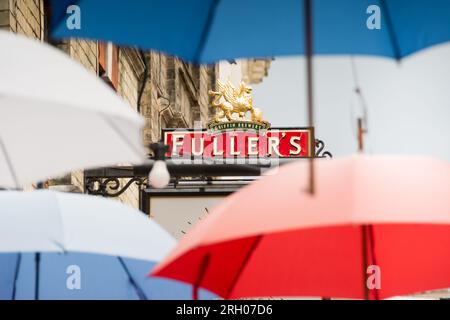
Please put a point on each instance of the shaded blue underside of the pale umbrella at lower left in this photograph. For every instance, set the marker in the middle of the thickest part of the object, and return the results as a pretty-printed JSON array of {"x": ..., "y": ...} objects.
[{"x": 74, "y": 276}]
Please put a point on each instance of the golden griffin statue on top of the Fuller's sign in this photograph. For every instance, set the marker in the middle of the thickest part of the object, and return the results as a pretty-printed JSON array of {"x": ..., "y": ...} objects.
[{"x": 233, "y": 104}]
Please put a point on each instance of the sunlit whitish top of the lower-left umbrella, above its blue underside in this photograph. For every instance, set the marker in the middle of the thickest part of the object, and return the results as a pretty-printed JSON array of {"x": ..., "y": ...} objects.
[{"x": 49, "y": 221}]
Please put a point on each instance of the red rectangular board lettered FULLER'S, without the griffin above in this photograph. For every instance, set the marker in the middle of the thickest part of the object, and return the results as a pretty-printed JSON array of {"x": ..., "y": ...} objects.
[{"x": 240, "y": 143}]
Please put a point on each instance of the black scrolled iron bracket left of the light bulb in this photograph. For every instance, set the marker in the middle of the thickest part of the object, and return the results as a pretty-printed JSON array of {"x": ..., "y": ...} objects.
[{"x": 110, "y": 187}]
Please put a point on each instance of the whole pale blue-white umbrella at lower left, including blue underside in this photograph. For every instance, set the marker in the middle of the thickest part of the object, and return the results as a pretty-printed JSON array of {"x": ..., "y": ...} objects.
[{"x": 68, "y": 246}]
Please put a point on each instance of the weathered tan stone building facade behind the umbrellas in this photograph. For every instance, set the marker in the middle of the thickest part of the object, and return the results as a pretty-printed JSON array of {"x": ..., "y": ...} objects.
[{"x": 166, "y": 91}]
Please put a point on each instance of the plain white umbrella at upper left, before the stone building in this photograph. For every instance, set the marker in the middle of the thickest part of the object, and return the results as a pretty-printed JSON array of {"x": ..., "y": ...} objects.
[{"x": 55, "y": 116}]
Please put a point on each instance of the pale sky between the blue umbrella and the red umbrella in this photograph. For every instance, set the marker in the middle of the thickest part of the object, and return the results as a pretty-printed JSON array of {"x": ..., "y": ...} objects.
[{"x": 407, "y": 102}]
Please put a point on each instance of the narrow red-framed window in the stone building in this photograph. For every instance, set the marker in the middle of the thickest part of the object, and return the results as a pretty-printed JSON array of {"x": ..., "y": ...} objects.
[{"x": 108, "y": 56}]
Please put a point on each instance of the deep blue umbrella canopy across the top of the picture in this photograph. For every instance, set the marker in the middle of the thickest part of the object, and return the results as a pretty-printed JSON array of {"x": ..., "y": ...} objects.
[{"x": 205, "y": 31}]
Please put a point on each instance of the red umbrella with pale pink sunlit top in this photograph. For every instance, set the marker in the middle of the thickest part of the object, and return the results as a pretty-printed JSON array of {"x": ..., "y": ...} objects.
[{"x": 378, "y": 226}]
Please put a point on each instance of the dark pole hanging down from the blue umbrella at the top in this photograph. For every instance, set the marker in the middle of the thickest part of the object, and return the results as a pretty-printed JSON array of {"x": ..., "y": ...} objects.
[{"x": 309, "y": 81}]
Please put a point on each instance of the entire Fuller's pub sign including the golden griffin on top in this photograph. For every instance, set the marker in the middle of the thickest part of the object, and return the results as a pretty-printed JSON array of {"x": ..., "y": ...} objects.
[{"x": 231, "y": 134}]
